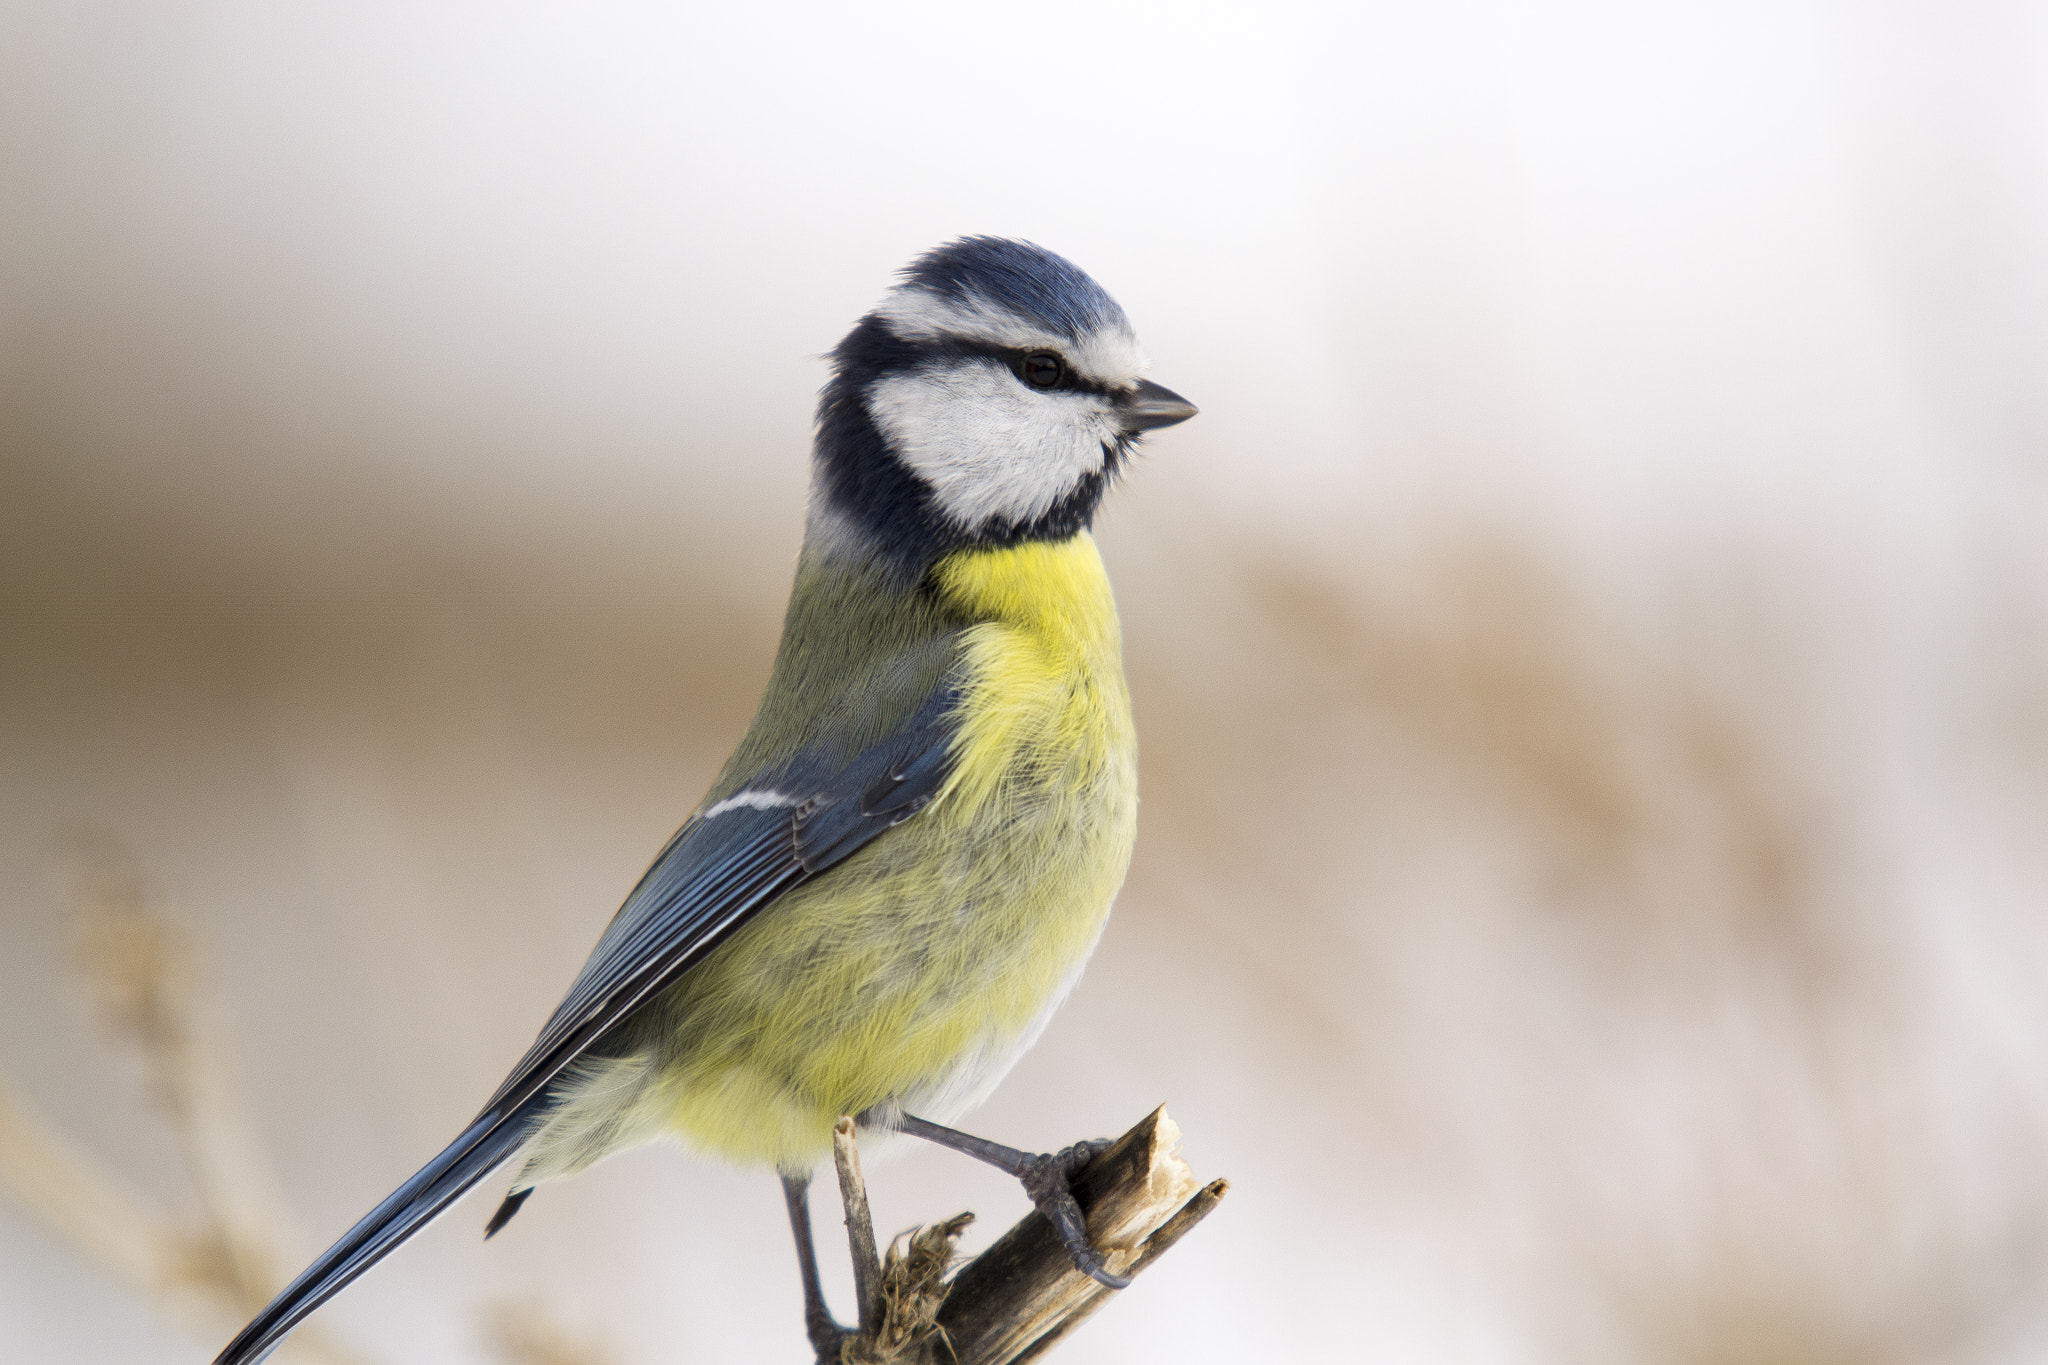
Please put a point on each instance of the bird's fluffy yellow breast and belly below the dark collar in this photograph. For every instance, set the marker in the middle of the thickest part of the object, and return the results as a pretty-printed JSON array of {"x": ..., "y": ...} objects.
[{"x": 921, "y": 967}]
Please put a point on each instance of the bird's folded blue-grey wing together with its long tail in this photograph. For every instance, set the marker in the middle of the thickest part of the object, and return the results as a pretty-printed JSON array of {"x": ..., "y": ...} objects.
[{"x": 720, "y": 871}]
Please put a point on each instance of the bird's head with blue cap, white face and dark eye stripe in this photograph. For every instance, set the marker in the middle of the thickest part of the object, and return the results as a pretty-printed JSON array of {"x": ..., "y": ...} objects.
[{"x": 990, "y": 398}]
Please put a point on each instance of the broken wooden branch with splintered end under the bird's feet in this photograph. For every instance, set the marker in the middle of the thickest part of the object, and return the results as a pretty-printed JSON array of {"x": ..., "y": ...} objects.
[{"x": 1023, "y": 1294}]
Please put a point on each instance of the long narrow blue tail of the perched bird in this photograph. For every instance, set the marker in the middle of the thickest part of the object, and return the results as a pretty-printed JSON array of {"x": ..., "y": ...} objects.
[{"x": 427, "y": 1196}]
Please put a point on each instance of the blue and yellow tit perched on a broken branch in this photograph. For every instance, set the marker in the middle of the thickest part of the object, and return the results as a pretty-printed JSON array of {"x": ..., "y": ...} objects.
[{"x": 914, "y": 848}]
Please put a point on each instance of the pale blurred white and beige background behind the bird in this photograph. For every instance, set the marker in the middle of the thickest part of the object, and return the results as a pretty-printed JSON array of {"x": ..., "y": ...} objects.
[{"x": 1592, "y": 650}]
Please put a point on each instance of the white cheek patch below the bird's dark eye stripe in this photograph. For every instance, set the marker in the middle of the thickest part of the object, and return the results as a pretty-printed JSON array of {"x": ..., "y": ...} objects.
[{"x": 986, "y": 445}]
